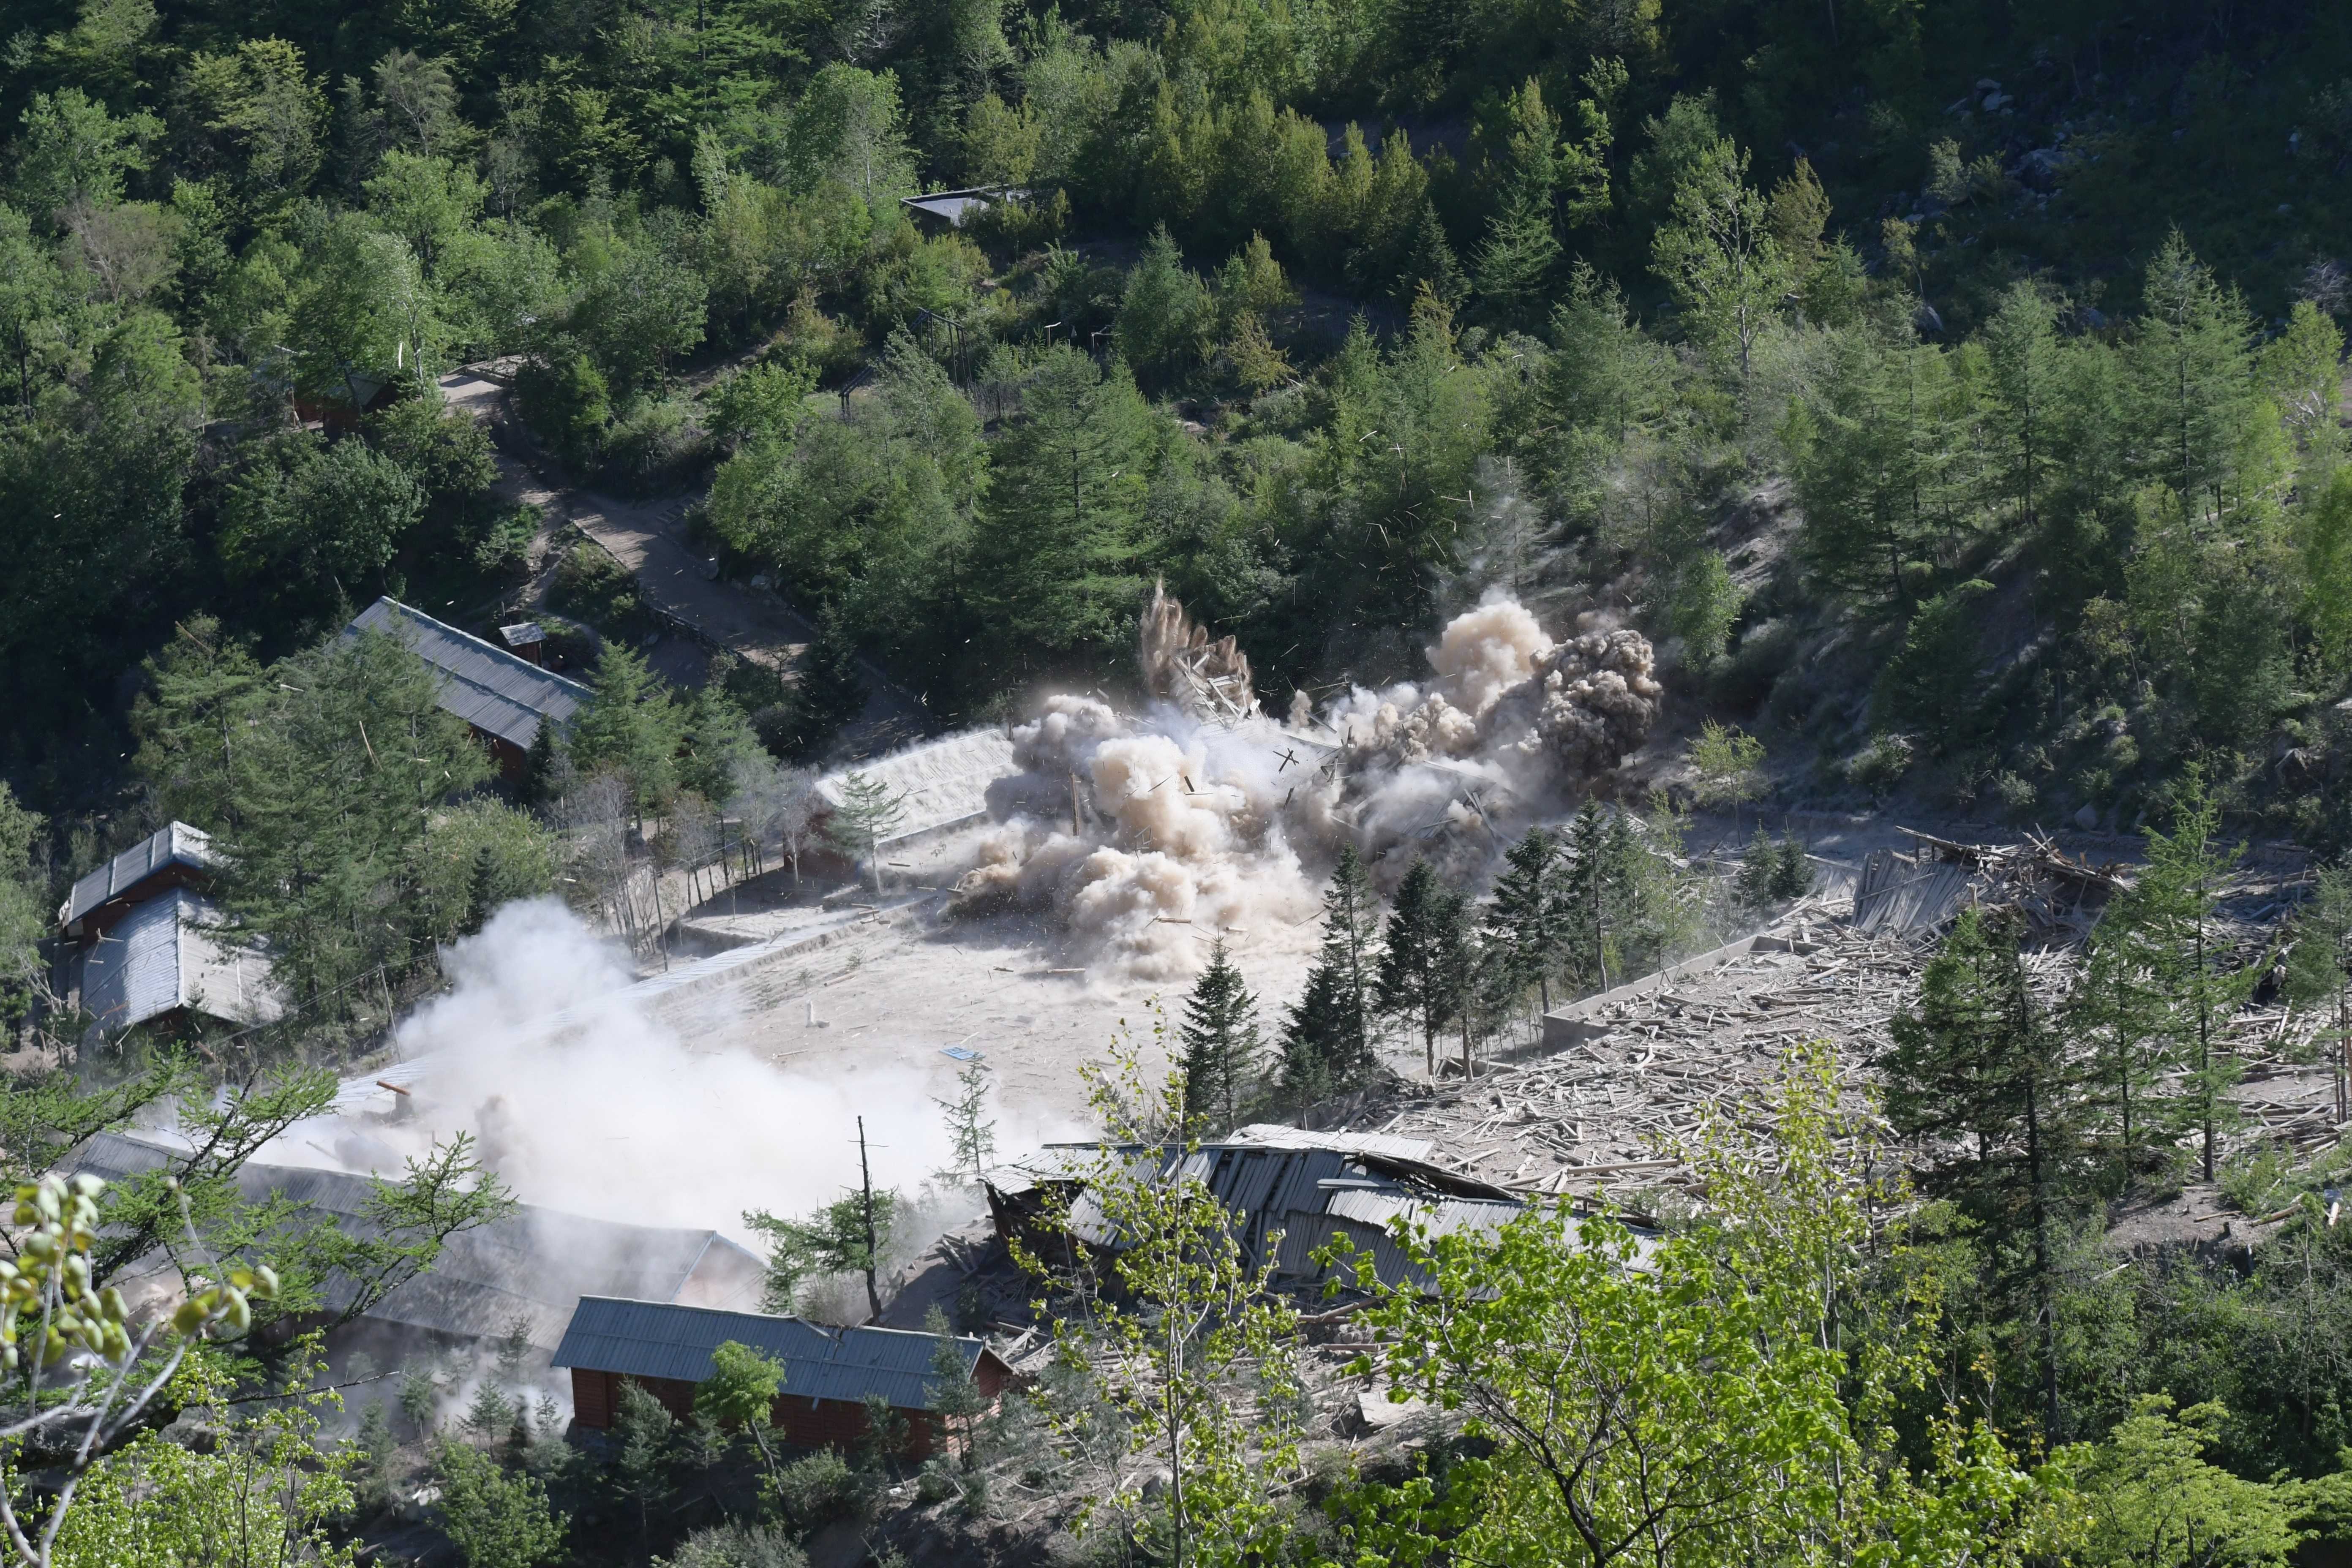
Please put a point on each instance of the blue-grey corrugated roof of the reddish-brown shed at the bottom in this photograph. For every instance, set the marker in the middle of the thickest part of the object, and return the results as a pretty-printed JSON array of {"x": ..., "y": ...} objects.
[{"x": 667, "y": 1341}]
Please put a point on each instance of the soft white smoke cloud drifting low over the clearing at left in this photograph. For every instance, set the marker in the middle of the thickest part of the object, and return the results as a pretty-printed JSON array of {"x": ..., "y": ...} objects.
[{"x": 589, "y": 1104}]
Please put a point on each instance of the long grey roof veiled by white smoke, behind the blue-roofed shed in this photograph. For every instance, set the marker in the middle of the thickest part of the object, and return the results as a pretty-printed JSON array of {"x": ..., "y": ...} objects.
[{"x": 535, "y": 1264}]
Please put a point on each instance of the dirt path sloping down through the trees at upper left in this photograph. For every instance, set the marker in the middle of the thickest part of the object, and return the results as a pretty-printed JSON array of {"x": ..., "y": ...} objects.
[{"x": 648, "y": 537}]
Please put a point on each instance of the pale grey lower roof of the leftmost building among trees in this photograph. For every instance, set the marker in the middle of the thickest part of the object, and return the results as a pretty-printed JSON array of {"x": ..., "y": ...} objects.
[{"x": 168, "y": 956}]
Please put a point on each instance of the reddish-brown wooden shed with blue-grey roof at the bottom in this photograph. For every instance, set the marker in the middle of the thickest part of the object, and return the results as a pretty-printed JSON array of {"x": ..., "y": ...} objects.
[{"x": 827, "y": 1372}]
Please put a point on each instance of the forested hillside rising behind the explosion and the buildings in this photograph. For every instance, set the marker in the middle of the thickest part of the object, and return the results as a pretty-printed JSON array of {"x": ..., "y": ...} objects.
[{"x": 1956, "y": 387}]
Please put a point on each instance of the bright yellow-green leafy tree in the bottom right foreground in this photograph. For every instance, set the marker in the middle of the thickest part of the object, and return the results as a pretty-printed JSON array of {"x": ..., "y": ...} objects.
[{"x": 1704, "y": 1402}]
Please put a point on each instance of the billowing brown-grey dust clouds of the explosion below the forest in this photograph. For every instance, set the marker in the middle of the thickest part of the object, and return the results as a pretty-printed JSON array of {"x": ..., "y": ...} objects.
[{"x": 1151, "y": 833}]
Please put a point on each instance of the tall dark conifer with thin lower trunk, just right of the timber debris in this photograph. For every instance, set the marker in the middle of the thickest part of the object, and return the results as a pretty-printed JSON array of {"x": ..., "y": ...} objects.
[{"x": 1975, "y": 1064}]
